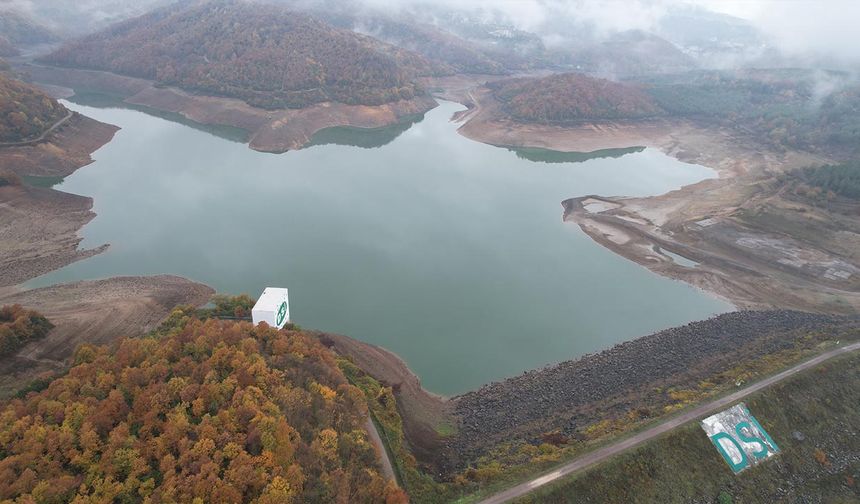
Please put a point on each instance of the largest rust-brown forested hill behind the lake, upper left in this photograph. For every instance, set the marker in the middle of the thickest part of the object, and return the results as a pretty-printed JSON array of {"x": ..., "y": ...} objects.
[{"x": 263, "y": 54}]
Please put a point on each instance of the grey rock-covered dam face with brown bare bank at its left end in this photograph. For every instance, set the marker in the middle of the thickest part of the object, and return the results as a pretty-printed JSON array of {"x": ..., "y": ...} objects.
[{"x": 570, "y": 395}]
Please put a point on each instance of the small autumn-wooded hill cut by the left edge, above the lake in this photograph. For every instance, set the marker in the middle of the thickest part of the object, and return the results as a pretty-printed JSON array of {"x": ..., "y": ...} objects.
[{"x": 25, "y": 112}]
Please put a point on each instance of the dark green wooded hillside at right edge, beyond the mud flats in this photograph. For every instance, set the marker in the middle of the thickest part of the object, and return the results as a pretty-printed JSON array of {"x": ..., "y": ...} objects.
[{"x": 798, "y": 108}]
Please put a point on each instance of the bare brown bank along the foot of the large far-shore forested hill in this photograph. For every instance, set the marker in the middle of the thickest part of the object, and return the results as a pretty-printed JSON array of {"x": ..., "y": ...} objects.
[{"x": 268, "y": 130}]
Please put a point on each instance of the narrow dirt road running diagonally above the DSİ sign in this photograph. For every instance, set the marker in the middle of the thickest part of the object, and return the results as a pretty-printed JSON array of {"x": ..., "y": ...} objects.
[{"x": 606, "y": 452}]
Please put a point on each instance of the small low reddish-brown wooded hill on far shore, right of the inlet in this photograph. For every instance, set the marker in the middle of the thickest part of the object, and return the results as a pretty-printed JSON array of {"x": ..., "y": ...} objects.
[{"x": 572, "y": 97}]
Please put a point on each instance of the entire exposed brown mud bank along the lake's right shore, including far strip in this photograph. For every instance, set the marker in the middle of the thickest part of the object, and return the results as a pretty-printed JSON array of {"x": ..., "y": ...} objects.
[{"x": 737, "y": 235}]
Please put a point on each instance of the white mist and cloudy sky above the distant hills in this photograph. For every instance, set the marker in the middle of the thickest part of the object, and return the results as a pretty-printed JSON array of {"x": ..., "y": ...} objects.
[{"x": 759, "y": 33}]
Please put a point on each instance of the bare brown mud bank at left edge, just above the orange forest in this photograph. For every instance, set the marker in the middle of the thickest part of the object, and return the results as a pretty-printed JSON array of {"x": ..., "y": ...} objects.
[{"x": 94, "y": 312}]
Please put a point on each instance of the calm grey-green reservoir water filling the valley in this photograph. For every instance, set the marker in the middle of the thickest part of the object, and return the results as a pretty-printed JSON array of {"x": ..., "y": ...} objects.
[{"x": 451, "y": 253}]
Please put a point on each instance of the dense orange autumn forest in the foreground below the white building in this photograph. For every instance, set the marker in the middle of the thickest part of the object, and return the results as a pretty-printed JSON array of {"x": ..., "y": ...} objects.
[{"x": 199, "y": 411}]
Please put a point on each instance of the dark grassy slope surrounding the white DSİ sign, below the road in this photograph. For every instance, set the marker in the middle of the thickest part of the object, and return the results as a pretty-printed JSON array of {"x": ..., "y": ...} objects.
[{"x": 683, "y": 466}]
